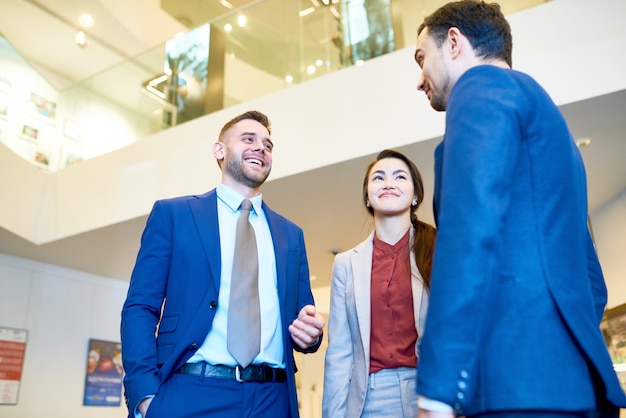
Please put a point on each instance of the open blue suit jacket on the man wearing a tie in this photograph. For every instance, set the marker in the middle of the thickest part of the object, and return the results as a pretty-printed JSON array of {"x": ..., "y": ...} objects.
[{"x": 179, "y": 261}]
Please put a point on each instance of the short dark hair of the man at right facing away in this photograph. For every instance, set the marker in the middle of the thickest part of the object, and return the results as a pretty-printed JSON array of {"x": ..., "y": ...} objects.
[{"x": 482, "y": 23}]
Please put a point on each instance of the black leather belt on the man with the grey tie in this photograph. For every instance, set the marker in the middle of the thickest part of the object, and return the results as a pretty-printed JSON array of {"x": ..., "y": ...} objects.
[{"x": 252, "y": 373}]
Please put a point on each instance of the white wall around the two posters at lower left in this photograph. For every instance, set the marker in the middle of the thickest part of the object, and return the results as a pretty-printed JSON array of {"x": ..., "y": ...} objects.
[{"x": 61, "y": 309}]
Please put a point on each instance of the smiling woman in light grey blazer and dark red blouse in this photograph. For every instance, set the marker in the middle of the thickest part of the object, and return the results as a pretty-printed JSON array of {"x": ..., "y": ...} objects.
[{"x": 379, "y": 298}]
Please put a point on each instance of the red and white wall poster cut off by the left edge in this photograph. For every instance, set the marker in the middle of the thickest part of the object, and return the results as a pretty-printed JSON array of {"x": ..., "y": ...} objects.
[{"x": 12, "y": 350}]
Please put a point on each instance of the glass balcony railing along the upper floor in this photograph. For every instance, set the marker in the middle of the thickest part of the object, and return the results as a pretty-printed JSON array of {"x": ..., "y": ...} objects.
[{"x": 252, "y": 51}]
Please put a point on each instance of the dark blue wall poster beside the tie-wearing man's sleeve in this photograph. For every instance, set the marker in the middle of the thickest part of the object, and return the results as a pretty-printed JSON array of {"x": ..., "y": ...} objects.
[{"x": 103, "y": 381}]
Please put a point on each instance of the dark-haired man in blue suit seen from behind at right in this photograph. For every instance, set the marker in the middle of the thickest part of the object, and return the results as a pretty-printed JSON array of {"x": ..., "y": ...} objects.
[{"x": 517, "y": 292}]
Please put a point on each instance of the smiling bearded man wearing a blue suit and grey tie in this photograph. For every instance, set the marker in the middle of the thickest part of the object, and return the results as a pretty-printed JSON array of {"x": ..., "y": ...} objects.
[{"x": 176, "y": 337}]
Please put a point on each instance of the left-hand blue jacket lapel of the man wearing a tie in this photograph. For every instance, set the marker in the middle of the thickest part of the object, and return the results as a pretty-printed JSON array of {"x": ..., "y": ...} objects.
[{"x": 204, "y": 211}]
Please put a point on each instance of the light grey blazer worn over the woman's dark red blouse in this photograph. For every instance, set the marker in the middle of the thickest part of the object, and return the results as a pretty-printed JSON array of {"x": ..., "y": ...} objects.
[{"x": 347, "y": 357}]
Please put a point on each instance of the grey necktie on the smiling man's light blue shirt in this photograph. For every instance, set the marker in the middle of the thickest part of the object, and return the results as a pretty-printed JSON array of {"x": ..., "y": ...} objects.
[{"x": 244, "y": 314}]
